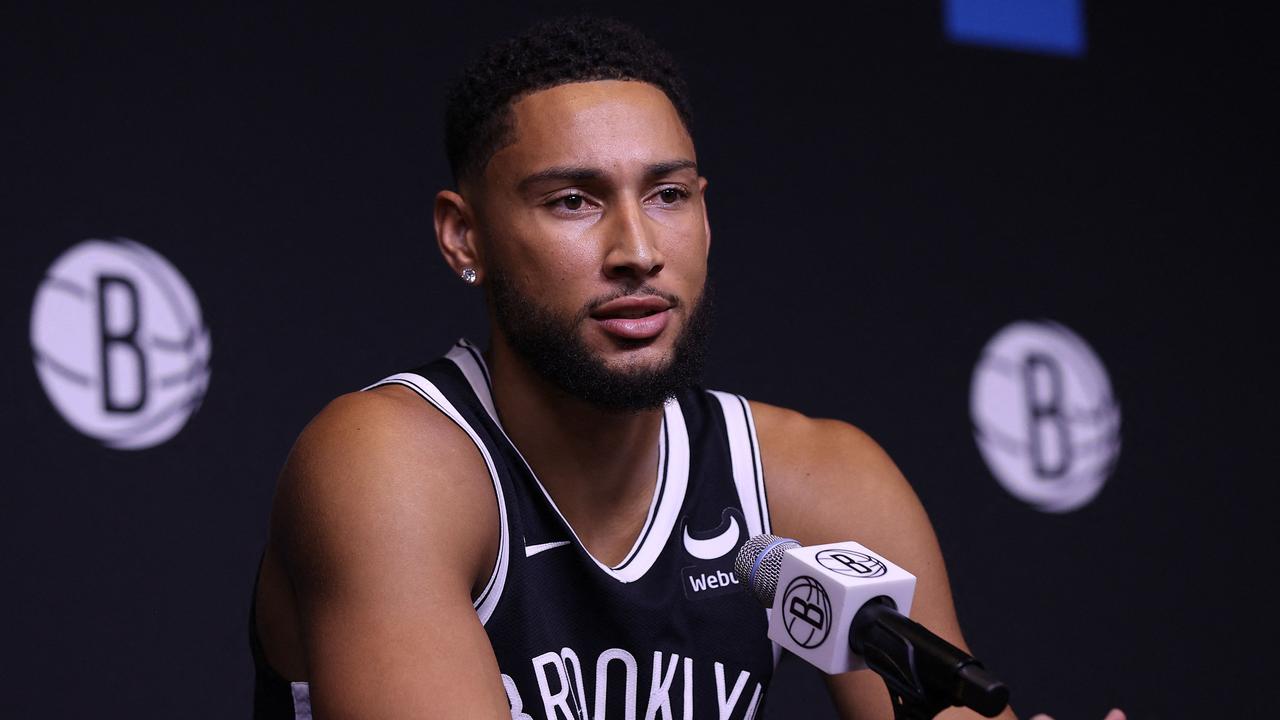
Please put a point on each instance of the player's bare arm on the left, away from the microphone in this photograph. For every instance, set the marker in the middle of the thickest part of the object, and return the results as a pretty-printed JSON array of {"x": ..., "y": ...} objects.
[{"x": 386, "y": 522}]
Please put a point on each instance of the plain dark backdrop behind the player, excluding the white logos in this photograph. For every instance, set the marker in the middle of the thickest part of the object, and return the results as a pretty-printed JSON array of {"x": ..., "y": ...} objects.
[{"x": 883, "y": 203}]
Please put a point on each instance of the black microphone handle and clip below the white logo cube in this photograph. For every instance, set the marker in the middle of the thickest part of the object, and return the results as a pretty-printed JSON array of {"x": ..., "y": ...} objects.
[{"x": 925, "y": 675}]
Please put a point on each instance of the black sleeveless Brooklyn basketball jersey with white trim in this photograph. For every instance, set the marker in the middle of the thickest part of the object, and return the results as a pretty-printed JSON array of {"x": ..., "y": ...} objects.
[{"x": 669, "y": 632}]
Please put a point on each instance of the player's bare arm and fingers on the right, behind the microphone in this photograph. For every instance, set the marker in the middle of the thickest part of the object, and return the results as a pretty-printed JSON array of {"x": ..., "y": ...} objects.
[{"x": 830, "y": 482}]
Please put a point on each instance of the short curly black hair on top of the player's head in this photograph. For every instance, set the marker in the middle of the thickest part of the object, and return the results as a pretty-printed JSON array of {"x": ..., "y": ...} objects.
[{"x": 552, "y": 53}]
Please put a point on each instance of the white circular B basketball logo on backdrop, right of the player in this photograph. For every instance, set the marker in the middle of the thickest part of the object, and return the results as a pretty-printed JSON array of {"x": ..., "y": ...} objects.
[{"x": 1044, "y": 416}]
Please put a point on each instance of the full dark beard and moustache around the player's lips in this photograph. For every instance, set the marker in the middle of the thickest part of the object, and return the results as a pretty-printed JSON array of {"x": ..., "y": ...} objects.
[{"x": 554, "y": 348}]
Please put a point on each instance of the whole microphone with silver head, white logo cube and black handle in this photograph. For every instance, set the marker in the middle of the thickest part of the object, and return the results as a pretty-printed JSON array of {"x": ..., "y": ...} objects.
[{"x": 843, "y": 608}]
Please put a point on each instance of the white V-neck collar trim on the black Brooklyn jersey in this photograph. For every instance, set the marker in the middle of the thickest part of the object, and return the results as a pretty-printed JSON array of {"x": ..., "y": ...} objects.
[{"x": 669, "y": 494}]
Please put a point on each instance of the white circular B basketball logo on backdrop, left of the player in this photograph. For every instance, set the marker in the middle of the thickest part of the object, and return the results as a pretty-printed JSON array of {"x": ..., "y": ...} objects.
[{"x": 120, "y": 344}]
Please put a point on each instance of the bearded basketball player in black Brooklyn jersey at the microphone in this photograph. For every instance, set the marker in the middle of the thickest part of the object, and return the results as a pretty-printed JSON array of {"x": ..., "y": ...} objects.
[{"x": 546, "y": 528}]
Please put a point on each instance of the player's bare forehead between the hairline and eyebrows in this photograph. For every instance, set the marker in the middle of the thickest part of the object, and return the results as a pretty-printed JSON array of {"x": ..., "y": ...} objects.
[{"x": 607, "y": 125}]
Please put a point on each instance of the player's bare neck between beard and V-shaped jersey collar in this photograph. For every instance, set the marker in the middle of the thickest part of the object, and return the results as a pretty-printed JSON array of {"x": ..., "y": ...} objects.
[{"x": 598, "y": 466}]
